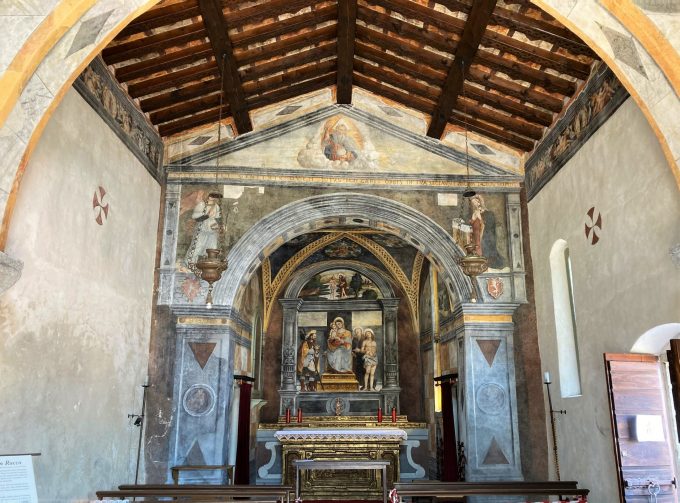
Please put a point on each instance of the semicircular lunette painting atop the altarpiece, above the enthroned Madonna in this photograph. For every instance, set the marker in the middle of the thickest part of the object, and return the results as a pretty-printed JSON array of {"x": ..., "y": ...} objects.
[{"x": 339, "y": 284}]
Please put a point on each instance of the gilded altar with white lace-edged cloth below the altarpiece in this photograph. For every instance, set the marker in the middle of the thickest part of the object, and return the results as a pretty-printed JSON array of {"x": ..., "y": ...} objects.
[{"x": 341, "y": 444}]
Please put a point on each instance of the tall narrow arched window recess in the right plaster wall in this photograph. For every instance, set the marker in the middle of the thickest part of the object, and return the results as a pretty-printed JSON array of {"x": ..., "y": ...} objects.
[{"x": 565, "y": 319}]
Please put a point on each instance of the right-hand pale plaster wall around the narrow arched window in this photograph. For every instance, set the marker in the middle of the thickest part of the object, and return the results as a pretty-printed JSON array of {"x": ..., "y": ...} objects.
[{"x": 623, "y": 285}]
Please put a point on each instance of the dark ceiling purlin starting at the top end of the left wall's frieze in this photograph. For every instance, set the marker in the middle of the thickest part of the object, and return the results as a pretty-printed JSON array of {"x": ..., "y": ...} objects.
[{"x": 155, "y": 43}]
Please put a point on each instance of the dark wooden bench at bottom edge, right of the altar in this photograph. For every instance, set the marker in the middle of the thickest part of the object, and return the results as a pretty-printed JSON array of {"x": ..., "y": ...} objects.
[{"x": 458, "y": 491}]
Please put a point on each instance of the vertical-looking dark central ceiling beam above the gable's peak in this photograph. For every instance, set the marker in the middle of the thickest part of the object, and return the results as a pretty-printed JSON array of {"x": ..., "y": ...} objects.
[{"x": 347, "y": 21}]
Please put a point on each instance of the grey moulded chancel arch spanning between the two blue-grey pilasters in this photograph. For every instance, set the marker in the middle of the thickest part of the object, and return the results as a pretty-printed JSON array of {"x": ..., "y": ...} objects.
[{"x": 361, "y": 210}]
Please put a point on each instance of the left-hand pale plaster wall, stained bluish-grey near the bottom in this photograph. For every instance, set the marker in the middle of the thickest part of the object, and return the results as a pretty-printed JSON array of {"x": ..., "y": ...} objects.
[{"x": 74, "y": 330}]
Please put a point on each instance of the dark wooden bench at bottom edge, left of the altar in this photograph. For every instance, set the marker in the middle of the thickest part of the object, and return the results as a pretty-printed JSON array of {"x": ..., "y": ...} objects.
[{"x": 200, "y": 492}]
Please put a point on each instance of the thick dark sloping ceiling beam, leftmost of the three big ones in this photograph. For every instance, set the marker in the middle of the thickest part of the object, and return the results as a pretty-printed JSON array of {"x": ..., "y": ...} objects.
[{"x": 218, "y": 32}]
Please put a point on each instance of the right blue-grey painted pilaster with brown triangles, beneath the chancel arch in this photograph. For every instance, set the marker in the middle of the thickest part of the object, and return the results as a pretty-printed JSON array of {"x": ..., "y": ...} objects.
[{"x": 489, "y": 426}]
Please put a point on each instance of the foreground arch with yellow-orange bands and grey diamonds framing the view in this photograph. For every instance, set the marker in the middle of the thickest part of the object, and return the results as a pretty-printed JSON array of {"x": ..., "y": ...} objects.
[{"x": 37, "y": 70}]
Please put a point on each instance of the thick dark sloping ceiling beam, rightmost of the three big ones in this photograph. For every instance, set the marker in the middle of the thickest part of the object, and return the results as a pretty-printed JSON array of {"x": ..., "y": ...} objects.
[{"x": 477, "y": 20}]
